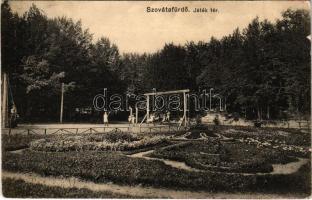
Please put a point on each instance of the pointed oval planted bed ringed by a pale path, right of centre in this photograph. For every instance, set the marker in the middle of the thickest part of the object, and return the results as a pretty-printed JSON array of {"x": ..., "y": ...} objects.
[{"x": 224, "y": 156}]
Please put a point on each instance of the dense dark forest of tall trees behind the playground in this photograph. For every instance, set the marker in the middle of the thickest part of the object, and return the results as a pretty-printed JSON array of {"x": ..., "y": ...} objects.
[{"x": 262, "y": 71}]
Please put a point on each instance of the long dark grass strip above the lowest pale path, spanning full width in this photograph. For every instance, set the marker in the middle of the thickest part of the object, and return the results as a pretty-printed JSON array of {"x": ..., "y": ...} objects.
[{"x": 102, "y": 167}]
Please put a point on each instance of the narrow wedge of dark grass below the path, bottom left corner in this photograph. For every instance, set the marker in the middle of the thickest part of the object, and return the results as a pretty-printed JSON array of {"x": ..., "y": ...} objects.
[{"x": 12, "y": 188}]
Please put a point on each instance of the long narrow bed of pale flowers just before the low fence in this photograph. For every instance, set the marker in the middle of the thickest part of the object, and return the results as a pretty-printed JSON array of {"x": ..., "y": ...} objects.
[{"x": 115, "y": 141}]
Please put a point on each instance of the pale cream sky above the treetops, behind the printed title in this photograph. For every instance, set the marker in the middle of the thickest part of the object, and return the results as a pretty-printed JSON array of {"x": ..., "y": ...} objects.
[{"x": 132, "y": 29}]
